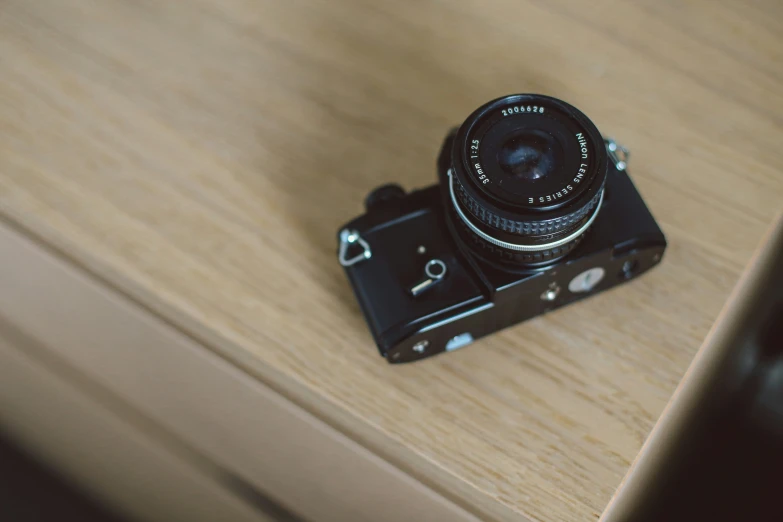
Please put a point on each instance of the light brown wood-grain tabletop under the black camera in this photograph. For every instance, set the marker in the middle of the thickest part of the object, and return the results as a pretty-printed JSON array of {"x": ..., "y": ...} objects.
[{"x": 201, "y": 155}]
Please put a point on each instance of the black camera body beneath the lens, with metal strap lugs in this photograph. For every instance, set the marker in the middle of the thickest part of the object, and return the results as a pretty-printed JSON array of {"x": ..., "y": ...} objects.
[{"x": 424, "y": 287}]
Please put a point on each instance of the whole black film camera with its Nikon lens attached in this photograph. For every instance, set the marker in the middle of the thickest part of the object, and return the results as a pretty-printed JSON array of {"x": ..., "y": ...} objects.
[{"x": 533, "y": 210}]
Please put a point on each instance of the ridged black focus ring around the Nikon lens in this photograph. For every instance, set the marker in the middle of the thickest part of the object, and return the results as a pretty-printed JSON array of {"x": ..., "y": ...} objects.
[{"x": 524, "y": 228}]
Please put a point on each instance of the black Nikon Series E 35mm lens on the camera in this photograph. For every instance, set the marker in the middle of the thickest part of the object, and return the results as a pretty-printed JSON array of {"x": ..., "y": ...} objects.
[{"x": 527, "y": 178}]
